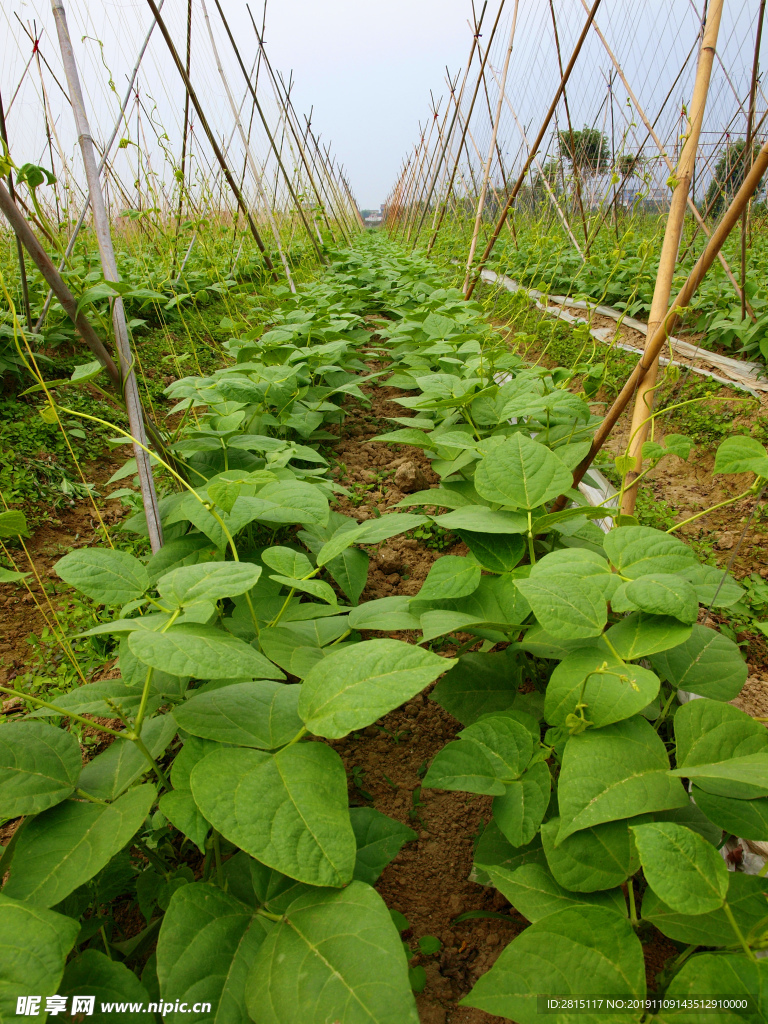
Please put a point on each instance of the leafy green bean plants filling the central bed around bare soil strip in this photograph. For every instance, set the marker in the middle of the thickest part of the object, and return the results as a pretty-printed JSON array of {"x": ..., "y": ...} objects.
[{"x": 222, "y": 801}]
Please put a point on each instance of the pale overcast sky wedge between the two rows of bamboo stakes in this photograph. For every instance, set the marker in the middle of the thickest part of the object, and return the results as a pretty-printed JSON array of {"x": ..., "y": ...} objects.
[{"x": 368, "y": 66}]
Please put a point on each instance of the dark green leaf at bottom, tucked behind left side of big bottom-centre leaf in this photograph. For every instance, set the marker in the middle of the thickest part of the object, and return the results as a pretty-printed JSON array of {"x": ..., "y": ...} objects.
[{"x": 207, "y": 945}]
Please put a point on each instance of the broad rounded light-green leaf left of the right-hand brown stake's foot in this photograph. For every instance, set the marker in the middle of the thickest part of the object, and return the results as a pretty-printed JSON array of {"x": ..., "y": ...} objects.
[{"x": 523, "y": 474}]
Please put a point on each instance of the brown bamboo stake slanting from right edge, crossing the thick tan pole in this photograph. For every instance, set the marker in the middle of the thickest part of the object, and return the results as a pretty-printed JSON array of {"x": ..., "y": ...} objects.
[{"x": 656, "y": 344}]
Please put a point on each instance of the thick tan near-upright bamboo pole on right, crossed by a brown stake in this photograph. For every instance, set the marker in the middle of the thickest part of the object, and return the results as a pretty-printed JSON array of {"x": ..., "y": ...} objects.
[{"x": 671, "y": 247}]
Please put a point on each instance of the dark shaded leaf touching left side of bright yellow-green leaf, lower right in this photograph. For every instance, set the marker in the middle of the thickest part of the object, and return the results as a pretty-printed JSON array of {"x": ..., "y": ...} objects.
[{"x": 601, "y": 858}]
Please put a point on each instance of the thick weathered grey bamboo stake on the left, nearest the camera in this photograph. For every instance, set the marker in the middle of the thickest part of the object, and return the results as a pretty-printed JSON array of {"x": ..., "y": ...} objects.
[{"x": 109, "y": 265}]
